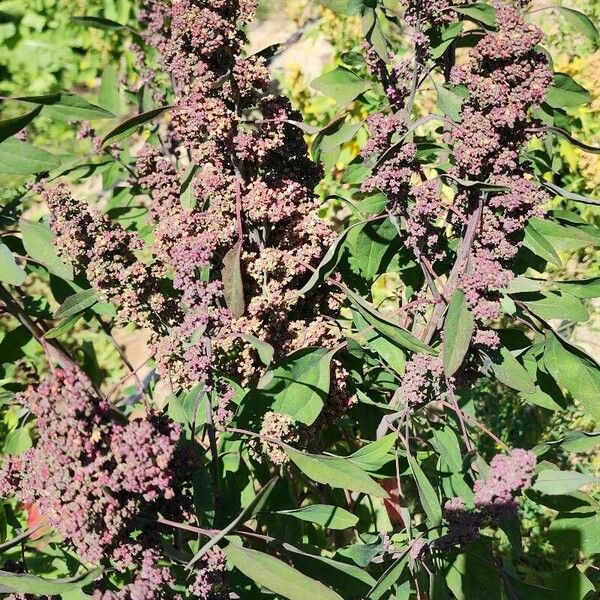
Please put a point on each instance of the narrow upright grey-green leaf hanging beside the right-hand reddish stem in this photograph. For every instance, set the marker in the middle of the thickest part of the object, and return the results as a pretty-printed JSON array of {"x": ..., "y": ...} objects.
[{"x": 458, "y": 331}]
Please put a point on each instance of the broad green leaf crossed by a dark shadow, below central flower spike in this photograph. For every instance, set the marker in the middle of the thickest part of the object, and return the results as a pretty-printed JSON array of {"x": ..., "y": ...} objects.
[{"x": 299, "y": 385}]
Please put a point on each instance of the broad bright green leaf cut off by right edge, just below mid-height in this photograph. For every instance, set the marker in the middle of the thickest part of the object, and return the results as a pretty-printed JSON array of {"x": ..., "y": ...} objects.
[{"x": 575, "y": 371}]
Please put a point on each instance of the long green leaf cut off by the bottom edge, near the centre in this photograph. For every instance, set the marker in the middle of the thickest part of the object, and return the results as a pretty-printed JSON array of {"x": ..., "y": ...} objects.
[{"x": 275, "y": 575}]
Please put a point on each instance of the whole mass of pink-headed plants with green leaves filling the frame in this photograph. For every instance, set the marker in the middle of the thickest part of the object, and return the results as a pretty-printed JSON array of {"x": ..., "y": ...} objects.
[{"x": 307, "y": 424}]
